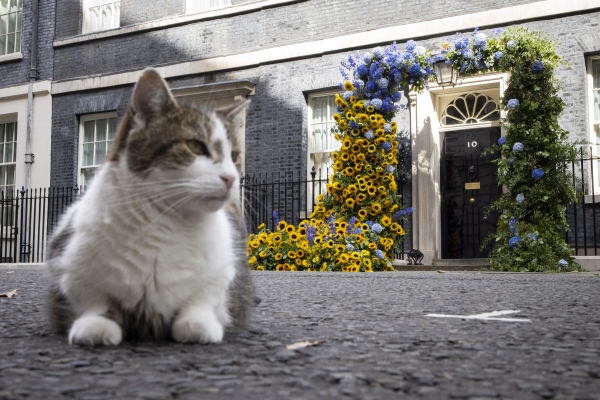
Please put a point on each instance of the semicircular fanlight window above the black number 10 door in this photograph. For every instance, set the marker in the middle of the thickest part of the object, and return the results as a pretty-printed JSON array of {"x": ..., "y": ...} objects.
[{"x": 472, "y": 108}]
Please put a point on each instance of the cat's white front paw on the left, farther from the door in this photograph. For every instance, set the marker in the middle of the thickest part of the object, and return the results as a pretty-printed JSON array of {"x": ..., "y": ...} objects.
[{"x": 92, "y": 330}]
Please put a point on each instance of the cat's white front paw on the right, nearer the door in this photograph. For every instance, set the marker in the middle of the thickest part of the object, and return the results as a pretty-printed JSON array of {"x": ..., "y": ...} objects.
[{"x": 197, "y": 329}]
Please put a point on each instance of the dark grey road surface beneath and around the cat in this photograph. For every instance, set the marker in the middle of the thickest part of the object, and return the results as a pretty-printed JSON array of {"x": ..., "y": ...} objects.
[{"x": 379, "y": 343}]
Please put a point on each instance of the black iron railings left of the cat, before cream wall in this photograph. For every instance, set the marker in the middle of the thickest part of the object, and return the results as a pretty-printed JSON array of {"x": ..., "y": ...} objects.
[{"x": 27, "y": 219}]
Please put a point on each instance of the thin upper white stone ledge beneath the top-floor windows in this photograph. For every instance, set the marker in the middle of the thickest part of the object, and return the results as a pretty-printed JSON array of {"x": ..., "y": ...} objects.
[{"x": 173, "y": 21}]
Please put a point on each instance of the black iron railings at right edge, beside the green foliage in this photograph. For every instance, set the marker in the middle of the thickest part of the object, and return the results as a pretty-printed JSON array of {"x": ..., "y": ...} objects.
[{"x": 584, "y": 216}]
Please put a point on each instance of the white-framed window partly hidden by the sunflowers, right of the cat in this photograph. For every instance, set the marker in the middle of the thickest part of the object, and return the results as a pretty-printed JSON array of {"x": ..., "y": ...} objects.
[{"x": 321, "y": 138}]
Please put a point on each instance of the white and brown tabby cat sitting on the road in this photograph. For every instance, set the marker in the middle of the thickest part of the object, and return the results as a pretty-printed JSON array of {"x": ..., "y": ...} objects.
[{"x": 155, "y": 248}]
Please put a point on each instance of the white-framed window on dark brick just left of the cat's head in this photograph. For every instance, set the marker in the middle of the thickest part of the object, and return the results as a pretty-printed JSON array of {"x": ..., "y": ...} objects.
[{"x": 97, "y": 133}]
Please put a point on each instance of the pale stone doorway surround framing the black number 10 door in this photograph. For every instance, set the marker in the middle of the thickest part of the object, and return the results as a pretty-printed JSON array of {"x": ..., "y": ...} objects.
[{"x": 426, "y": 138}]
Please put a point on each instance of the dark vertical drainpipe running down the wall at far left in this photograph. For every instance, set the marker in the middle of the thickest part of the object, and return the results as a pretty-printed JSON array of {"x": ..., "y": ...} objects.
[{"x": 29, "y": 157}]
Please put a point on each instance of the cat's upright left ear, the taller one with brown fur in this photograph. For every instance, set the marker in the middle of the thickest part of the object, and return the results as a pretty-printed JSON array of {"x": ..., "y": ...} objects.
[{"x": 151, "y": 95}]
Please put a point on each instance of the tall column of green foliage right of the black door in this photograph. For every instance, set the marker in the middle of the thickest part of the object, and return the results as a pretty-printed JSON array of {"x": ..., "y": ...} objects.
[{"x": 534, "y": 124}]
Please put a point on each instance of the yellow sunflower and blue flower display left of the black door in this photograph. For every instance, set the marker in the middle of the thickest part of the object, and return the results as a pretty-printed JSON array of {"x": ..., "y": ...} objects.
[{"x": 356, "y": 224}]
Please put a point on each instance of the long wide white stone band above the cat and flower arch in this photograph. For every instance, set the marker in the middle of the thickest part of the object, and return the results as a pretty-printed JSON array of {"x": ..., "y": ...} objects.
[{"x": 436, "y": 27}]
